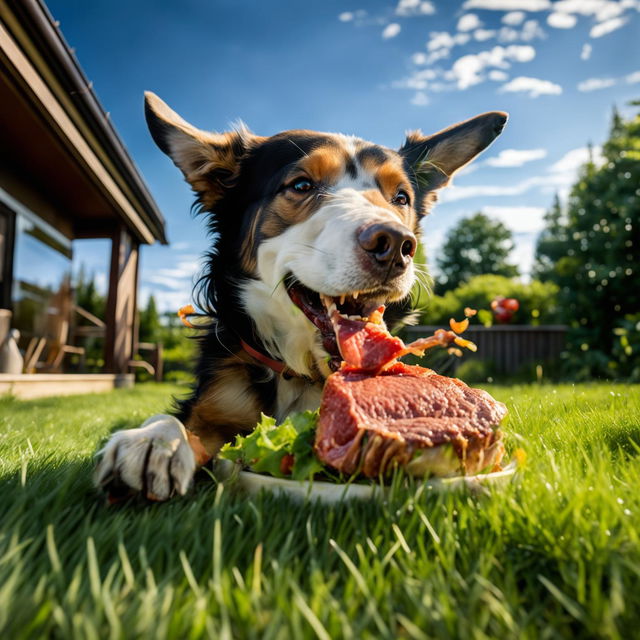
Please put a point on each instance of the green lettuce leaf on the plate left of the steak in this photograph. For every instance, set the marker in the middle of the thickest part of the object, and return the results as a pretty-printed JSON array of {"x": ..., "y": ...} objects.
[{"x": 265, "y": 447}]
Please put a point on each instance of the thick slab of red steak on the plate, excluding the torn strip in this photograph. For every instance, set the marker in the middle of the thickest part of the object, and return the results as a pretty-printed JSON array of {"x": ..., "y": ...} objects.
[{"x": 370, "y": 423}]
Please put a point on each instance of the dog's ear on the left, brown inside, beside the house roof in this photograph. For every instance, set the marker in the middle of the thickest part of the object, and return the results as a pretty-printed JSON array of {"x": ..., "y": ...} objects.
[{"x": 209, "y": 161}]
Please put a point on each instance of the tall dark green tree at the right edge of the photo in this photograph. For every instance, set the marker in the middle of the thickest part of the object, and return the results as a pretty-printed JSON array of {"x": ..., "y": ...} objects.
[{"x": 591, "y": 250}]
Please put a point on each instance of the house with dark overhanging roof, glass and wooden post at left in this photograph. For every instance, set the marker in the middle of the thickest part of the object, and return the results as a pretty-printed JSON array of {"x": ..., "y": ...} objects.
[{"x": 65, "y": 175}]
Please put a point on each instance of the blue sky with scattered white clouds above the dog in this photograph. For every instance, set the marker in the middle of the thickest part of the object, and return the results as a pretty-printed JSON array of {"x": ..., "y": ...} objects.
[{"x": 371, "y": 68}]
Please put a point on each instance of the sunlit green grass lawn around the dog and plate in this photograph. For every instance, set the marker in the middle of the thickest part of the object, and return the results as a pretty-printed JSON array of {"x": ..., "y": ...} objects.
[{"x": 555, "y": 554}]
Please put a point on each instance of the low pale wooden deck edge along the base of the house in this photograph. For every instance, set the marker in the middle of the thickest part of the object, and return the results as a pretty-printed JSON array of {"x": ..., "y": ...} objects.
[{"x": 40, "y": 385}]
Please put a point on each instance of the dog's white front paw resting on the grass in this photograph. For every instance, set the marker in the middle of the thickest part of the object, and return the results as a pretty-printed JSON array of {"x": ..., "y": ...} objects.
[{"x": 154, "y": 460}]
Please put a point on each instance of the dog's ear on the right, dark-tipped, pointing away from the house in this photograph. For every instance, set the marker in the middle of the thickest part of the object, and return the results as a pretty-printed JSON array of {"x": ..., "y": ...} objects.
[{"x": 434, "y": 159}]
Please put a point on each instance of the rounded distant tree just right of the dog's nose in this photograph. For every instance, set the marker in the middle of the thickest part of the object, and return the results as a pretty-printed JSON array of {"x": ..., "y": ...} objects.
[{"x": 475, "y": 246}]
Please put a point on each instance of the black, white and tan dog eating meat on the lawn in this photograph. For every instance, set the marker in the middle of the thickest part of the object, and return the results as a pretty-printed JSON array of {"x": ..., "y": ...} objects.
[{"x": 300, "y": 220}]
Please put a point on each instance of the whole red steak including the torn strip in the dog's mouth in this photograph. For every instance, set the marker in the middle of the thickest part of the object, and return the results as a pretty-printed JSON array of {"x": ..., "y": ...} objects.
[{"x": 377, "y": 413}]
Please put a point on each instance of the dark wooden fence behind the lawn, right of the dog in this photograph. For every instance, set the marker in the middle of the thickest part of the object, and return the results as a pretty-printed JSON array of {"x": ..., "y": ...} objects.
[{"x": 507, "y": 347}]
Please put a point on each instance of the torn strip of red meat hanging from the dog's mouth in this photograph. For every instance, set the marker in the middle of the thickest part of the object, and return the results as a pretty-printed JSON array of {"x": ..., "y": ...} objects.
[{"x": 367, "y": 345}]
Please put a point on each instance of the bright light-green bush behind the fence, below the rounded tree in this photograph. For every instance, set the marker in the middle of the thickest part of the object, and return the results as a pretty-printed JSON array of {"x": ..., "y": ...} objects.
[{"x": 537, "y": 301}]
